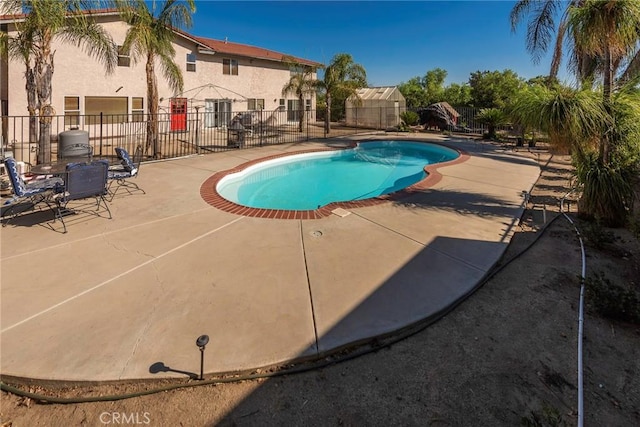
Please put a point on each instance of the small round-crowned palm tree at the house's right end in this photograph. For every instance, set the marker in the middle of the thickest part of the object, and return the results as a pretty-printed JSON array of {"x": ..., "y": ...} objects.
[{"x": 342, "y": 79}]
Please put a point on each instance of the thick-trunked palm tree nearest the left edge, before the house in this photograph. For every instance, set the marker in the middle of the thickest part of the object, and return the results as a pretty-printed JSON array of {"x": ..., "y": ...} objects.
[{"x": 46, "y": 21}]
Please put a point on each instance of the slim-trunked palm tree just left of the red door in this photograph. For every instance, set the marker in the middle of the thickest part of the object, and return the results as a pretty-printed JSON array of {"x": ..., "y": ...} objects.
[{"x": 150, "y": 37}]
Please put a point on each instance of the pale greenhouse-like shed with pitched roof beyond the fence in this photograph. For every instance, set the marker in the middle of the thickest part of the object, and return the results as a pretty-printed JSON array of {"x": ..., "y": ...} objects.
[{"x": 379, "y": 107}]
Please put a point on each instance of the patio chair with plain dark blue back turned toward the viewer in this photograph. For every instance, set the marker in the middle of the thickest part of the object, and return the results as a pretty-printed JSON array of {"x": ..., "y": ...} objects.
[{"x": 84, "y": 181}]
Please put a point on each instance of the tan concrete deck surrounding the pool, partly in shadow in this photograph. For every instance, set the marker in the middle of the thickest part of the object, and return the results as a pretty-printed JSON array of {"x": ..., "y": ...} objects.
[{"x": 123, "y": 298}]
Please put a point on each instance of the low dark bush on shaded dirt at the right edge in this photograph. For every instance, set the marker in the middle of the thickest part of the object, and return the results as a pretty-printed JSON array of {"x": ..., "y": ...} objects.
[{"x": 612, "y": 300}]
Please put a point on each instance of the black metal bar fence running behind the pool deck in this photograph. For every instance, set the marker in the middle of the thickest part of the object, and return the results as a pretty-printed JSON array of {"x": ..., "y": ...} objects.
[{"x": 175, "y": 135}]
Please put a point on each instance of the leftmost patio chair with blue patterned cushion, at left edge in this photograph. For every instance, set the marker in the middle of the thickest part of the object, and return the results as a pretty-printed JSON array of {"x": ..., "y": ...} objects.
[{"x": 27, "y": 195}]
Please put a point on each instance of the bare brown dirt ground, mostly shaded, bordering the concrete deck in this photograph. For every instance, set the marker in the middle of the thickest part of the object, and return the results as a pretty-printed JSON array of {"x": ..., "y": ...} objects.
[{"x": 506, "y": 356}]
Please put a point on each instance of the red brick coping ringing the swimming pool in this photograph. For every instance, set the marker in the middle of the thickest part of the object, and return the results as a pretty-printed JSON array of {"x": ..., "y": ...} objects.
[{"x": 210, "y": 195}]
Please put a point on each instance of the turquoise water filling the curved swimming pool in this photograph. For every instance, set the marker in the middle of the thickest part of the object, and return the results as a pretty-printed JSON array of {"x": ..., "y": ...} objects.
[{"x": 308, "y": 181}]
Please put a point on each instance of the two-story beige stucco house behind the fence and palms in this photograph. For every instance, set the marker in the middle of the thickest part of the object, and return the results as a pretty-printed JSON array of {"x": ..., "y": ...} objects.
[{"x": 220, "y": 79}]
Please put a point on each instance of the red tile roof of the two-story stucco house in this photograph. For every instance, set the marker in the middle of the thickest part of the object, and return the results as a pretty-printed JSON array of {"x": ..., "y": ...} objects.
[{"x": 217, "y": 46}]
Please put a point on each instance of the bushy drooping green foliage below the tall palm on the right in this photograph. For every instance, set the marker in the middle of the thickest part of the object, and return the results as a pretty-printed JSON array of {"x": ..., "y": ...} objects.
[{"x": 574, "y": 119}]
